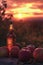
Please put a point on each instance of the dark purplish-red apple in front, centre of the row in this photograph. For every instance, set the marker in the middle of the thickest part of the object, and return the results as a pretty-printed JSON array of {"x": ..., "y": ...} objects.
[{"x": 24, "y": 55}]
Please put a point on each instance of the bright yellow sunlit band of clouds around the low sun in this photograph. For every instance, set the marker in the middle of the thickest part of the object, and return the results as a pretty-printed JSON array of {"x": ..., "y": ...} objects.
[{"x": 25, "y": 10}]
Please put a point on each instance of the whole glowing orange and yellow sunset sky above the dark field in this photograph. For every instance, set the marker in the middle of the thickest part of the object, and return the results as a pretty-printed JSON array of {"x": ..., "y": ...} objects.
[{"x": 25, "y": 8}]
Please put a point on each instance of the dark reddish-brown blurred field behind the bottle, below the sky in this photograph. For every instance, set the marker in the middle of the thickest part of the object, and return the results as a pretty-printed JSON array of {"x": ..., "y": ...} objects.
[{"x": 25, "y": 31}]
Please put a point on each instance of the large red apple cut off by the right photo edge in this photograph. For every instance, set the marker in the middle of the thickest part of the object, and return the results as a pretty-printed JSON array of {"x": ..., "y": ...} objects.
[{"x": 38, "y": 54}]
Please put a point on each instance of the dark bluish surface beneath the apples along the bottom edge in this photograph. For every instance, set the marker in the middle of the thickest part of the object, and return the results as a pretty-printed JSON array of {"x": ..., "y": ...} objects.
[{"x": 13, "y": 61}]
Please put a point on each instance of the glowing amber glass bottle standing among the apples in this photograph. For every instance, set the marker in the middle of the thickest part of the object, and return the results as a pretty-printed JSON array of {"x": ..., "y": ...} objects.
[{"x": 11, "y": 37}]
